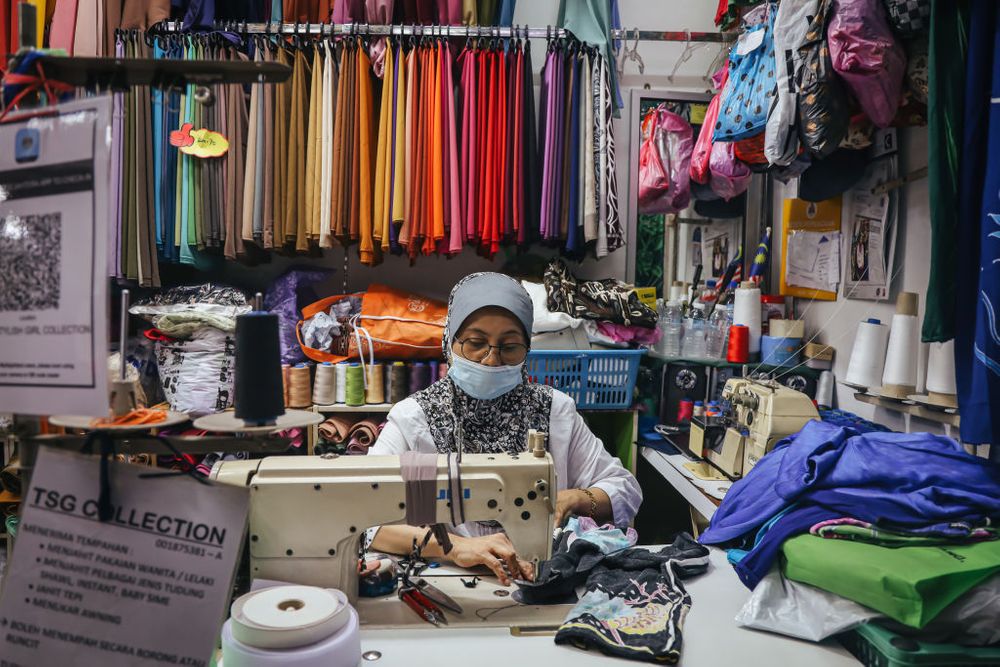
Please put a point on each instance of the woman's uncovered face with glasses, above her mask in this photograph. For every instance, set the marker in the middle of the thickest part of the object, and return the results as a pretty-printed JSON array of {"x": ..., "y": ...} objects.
[{"x": 494, "y": 327}]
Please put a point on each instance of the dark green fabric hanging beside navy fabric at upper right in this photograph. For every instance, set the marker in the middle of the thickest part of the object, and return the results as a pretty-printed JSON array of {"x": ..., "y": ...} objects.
[{"x": 946, "y": 82}]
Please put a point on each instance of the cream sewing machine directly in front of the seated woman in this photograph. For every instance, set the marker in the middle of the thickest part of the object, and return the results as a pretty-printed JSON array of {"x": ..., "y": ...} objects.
[{"x": 308, "y": 514}]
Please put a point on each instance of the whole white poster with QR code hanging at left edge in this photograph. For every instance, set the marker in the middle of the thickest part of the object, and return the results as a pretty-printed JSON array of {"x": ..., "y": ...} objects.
[{"x": 55, "y": 181}]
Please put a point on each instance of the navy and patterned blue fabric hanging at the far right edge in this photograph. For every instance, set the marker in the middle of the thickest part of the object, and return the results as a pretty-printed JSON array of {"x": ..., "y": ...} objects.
[{"x": 977, "y": 345}]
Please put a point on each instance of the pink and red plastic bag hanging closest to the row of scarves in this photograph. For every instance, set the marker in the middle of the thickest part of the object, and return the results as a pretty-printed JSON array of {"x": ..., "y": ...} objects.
[{"x": 665, "y": 183}]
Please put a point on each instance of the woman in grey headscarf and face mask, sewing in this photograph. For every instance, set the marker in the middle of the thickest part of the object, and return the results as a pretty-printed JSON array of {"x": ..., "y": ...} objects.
[{"x": 486, "y": 404}]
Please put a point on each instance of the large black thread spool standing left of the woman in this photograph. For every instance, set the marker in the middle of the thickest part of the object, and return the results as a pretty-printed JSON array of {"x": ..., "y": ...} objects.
[{"x": 259, "y": 396}]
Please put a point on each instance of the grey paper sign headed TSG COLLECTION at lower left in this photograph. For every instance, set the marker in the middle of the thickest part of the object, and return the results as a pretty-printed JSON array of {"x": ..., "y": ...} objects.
[{"x": 79, "y": 591}]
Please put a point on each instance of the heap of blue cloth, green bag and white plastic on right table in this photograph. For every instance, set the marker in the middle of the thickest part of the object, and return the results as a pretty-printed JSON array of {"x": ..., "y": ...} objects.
[{"x": 834, "y": 528}]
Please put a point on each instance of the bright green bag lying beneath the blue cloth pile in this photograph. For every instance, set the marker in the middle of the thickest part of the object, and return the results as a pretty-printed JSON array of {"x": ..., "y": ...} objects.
[{"x": 909, "y": 584}]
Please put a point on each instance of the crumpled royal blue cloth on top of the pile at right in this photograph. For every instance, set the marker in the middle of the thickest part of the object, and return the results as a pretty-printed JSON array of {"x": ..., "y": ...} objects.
[{"x": 909, "y": 480}]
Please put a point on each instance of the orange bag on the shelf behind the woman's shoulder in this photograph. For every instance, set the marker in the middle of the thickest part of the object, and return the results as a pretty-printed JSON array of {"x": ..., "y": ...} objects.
[{"x": 392, "y": 324}]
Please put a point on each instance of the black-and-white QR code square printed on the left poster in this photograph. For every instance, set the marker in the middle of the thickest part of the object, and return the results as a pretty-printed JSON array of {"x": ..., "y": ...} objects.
[{"x": 30, "y": 254}]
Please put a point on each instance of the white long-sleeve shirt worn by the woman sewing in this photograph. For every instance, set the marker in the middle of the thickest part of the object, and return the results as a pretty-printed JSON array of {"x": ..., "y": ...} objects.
[{"x": 580, "y": 458}]
